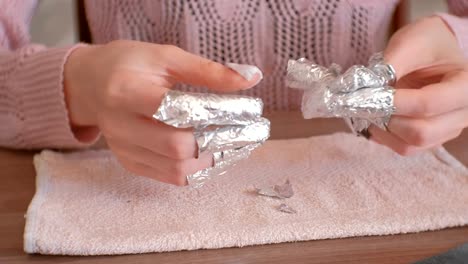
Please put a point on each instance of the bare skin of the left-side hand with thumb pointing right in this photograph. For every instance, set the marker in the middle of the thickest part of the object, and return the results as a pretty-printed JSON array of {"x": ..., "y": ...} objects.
[{"x": 117, "y": 88}]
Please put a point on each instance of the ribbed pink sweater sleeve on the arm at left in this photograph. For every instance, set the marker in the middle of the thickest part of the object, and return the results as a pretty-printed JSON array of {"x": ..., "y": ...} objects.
[{"x": 33, "y": 112}]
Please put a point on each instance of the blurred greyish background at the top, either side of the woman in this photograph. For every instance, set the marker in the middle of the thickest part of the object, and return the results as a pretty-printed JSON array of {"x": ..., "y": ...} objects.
[{"x": 55, "y": 21}]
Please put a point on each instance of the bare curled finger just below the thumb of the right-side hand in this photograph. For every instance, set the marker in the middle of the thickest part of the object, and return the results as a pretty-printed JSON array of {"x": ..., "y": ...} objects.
[{"x": 433, "y": 99}]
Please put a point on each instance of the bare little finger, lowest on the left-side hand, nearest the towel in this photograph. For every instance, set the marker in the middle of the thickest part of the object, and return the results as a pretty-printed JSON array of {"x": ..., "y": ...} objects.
[{"x": 150, "y": 172}]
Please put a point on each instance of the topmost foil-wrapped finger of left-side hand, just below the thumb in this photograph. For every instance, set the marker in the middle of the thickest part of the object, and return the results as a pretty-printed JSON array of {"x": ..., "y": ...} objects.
[{"x": 183, "y": 110}]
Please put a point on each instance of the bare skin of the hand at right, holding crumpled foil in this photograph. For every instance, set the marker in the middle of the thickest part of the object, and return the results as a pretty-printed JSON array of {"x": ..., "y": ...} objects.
[{"x": 431, "y": 99}]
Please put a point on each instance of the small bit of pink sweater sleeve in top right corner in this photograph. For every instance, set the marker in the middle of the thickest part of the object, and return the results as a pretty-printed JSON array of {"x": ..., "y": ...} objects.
[{"x": 458, "y": 21}]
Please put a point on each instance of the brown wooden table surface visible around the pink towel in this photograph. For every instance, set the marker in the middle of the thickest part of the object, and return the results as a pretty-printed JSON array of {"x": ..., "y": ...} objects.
[{"x": 17, "y": 188}]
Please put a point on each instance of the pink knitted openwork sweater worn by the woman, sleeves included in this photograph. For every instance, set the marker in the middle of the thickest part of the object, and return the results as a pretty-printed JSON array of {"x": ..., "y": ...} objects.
[{"x": 265, "y": 33}]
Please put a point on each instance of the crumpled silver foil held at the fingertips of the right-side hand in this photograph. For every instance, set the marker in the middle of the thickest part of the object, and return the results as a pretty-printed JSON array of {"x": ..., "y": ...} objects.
[{"x": 362, "y": 95}]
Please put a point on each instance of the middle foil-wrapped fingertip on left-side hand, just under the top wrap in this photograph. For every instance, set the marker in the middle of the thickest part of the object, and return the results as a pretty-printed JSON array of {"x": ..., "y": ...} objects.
[{"x": 216, "y": 139}]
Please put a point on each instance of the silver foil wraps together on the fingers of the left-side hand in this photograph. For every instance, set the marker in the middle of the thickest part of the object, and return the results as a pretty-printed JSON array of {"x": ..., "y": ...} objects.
[{"x": 228, "y": 126}]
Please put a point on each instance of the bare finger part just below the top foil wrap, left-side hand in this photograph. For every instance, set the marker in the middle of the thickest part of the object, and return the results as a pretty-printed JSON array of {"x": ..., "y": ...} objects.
[{"x": 165, "y": 140}]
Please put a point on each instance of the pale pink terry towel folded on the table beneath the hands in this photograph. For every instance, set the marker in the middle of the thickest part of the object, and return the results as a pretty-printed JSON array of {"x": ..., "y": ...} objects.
[{"x": 86, "y": 204}]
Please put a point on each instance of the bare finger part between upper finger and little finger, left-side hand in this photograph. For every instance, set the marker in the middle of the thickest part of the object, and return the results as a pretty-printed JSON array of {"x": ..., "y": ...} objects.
[{"x": 168, "y": 166}]
